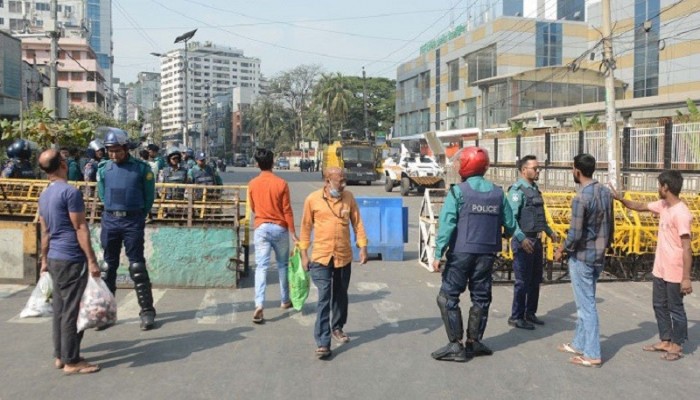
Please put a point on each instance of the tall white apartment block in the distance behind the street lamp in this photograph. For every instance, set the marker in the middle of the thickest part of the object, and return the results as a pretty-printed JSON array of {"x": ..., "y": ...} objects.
[{"x": 212, "y": 70}]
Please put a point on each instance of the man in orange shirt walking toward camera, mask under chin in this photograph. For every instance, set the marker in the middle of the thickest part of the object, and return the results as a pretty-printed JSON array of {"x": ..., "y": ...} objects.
[{"x": 328, "y": 212}]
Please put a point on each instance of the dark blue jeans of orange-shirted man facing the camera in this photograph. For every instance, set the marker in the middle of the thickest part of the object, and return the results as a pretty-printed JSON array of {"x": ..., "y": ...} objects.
[{"x": 332, "y": 284}]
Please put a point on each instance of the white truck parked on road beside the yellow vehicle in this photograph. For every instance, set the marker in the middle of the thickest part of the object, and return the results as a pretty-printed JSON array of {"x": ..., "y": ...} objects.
[{"x": 412, "y": 172}]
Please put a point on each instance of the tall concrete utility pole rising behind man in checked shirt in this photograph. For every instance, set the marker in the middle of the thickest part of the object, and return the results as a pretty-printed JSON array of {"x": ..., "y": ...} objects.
[{"x": 611, "y": 114}]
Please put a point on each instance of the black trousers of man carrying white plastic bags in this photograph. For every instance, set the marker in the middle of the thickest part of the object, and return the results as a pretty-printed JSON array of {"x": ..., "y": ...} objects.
[{"x": 69, "y": 281}]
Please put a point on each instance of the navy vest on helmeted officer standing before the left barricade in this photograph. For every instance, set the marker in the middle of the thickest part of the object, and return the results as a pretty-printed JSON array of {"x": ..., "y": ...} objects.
[{"x": 123, "y": 186}]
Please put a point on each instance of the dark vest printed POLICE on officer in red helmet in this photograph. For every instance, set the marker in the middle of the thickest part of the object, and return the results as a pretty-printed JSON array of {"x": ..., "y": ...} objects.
[{"x": 479, "y": 223}]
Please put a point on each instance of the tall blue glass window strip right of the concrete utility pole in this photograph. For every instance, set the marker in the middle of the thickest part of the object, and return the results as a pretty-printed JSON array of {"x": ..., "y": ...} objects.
[{"x": 646, "y": 49}]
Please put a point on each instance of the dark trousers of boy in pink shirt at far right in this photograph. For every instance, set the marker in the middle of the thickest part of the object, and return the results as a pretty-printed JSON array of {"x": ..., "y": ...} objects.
[{"x": 669, "y": 310}]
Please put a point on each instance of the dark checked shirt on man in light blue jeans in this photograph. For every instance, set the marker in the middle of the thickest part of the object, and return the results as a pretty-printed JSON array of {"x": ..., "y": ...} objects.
[{"x": 592, "y": 224}]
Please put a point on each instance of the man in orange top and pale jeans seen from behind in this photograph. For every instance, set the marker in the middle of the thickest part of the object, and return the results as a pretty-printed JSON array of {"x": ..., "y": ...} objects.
[{"x": 274, "y": 221}]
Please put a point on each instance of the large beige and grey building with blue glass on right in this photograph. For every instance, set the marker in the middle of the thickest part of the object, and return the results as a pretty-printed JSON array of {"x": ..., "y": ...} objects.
[{"x": 511, "y": 58}]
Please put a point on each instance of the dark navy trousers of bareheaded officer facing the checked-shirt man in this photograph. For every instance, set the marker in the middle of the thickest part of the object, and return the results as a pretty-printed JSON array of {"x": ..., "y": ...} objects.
[{"x": 528, "y": 277}]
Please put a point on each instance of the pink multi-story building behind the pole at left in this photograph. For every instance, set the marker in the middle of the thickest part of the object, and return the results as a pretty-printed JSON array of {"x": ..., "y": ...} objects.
[{"x": 79, "y": 71}]
